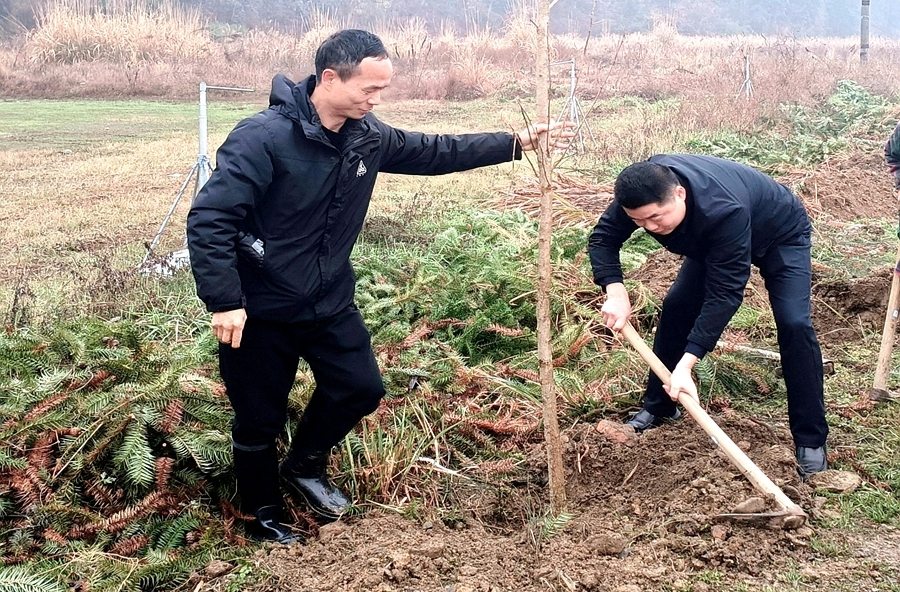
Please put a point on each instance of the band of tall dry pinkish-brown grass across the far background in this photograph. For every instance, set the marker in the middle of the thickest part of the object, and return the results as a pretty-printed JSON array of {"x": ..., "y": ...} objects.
[{"x": 138, "y": 51}]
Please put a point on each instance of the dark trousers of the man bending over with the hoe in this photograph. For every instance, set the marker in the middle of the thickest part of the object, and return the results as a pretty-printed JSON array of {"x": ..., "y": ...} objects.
[{"x": 787, "y": 272}]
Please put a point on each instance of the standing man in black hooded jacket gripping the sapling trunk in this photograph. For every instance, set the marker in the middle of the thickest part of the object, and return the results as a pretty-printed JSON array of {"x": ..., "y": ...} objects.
[{"x": 270, "y": 236}]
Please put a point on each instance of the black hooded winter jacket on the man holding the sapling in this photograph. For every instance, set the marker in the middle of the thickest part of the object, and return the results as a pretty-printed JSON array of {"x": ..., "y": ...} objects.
[{"x": 279, "y": 178}]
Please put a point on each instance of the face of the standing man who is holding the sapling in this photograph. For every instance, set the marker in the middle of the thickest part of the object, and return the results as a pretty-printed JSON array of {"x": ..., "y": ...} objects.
[{"x": 356, "y": 96}]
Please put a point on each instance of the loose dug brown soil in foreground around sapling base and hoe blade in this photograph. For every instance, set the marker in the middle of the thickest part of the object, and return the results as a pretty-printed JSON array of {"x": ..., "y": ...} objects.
[{"x": 643, "y": 518}]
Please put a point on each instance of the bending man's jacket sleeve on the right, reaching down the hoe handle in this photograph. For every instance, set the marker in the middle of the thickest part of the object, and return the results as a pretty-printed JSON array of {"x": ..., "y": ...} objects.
[{"x": 727, "y": 272}]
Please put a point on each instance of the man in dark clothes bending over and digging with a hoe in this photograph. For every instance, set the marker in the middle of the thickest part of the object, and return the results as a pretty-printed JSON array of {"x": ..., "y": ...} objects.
[{"x": 723, "y": 217}]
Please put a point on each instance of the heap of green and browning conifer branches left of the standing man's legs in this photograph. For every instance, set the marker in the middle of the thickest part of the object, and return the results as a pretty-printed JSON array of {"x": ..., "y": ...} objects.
[{"x": 107, "y": 442}]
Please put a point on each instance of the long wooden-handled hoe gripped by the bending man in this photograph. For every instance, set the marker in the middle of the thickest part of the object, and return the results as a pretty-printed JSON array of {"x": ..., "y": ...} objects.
[{"x": 789, "y": 515}]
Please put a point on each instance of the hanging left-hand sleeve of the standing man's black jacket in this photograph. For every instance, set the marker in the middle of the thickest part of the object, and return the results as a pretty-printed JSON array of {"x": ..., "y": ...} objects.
[{"x": 243, "y": 172}]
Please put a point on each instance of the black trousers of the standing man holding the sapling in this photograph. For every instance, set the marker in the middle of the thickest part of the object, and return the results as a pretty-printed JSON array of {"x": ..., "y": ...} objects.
[{"x": 260, "y": 374}]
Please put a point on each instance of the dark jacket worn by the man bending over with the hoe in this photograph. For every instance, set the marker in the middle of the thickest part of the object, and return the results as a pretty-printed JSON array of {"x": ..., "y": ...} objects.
[{"x": 734, "y": 215}]
